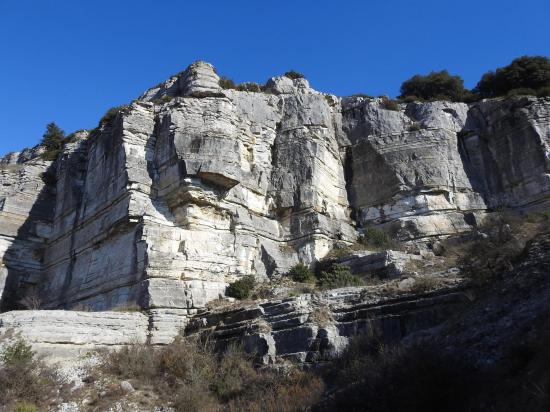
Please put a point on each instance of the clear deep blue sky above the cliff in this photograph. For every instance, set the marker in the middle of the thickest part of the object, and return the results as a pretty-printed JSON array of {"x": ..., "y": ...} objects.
[{"x": 69, "y": 61}]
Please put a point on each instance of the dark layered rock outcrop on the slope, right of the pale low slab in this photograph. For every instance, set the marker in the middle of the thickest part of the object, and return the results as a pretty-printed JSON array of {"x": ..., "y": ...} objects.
[{"x": 315, "y": 327}]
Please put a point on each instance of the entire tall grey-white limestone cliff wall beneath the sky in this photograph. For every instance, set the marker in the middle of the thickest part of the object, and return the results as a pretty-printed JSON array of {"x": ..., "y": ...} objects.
[{"x": 192, "y": 186}]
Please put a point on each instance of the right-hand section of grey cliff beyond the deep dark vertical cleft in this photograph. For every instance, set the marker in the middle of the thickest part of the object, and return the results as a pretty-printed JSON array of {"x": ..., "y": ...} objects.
[{"x": 431, "y": 169}]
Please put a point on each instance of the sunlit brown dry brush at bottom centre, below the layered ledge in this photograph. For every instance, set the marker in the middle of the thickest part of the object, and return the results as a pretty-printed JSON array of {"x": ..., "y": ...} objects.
[{"x": 189, "y": 376}]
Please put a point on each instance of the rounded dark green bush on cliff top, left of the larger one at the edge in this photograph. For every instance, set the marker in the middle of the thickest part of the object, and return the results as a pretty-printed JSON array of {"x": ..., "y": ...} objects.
[{"x": 434, "y": 86}]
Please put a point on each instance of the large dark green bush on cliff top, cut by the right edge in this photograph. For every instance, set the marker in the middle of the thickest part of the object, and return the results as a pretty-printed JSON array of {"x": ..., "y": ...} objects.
[{"x": 526, "y": 72}]
